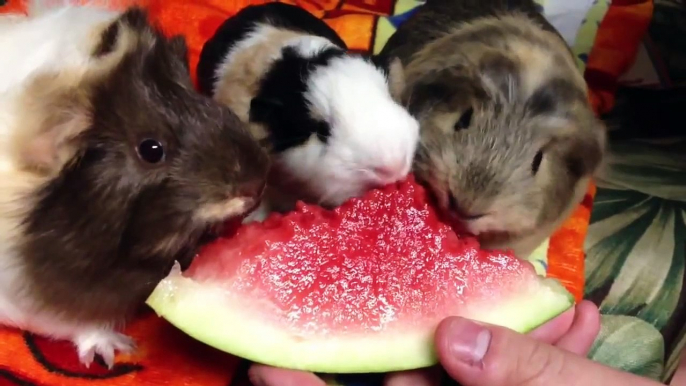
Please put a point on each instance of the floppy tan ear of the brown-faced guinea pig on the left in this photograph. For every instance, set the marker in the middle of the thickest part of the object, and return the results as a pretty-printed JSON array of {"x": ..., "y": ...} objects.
[{"x": 54, "y": 114}]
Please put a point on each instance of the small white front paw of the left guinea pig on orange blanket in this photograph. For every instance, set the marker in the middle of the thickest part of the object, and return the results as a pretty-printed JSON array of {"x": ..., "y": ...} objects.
[{"x": 104, "y": 343}]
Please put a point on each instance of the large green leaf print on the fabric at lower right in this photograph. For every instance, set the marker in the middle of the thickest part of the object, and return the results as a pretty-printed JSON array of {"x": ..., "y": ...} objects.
[{"x": 636, "y": 255}]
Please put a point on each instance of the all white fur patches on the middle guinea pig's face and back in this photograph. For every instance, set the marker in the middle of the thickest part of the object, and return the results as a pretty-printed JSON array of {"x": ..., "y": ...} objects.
[{"x": 370, "y": 131}]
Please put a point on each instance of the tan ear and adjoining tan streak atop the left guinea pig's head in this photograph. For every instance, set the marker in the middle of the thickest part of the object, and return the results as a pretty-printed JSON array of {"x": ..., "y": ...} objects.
[{"x": 55, "y": 107}]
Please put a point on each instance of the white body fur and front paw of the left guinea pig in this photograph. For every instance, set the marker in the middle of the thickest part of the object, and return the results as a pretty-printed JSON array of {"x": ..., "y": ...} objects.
[{"x": 52, "y": 38}]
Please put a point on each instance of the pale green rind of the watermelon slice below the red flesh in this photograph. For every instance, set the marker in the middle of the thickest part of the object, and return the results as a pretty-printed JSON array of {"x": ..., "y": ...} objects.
[{"x": 205, "y": 312}]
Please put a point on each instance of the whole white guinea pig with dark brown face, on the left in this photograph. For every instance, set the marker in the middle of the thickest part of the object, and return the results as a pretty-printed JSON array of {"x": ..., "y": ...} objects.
[{"x": 112, "y": 167}]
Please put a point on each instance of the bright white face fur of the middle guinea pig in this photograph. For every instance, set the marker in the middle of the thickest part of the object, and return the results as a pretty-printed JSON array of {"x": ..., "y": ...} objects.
[{"x": 369, "y": 132}]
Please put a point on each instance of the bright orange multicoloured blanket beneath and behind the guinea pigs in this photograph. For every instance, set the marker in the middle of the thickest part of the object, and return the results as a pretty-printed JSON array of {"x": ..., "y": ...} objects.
[{"x": 604, "y": 37}]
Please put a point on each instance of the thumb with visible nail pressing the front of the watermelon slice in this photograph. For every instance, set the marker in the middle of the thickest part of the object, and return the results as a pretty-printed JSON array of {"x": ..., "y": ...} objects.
[{"x": 482, "y": 355}]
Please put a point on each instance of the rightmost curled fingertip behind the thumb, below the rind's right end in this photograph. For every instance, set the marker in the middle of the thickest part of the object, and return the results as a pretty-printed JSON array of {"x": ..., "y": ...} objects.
[{"x": 583, "y": 331}]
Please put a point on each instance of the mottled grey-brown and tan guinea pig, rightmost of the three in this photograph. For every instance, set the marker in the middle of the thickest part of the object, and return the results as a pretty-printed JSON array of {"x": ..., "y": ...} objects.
[{"x": 508, "y": 139}]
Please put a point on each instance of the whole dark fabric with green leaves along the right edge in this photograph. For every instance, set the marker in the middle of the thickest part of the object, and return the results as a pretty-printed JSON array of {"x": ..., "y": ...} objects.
[{"x": 636, "y": 243}]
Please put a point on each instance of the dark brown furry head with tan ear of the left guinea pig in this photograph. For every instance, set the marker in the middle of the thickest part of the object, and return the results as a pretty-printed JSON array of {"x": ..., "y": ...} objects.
[{"x": 102, "y": 226}]
